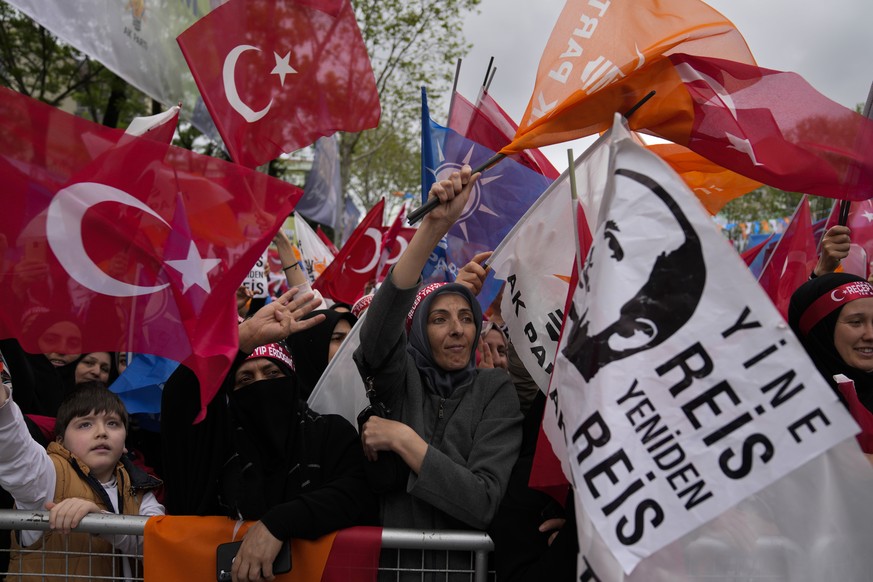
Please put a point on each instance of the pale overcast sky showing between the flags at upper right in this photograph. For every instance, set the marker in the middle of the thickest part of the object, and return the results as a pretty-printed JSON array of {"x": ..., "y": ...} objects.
[{"x": 830, "y": 44}]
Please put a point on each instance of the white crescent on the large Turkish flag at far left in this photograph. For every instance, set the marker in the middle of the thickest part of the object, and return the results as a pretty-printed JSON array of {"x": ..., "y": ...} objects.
[{"x": 64, "y": 232}]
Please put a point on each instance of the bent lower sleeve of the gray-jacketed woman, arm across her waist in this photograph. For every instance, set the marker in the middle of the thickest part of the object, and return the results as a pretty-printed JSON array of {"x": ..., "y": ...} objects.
[{"x": 472, "y": 492}]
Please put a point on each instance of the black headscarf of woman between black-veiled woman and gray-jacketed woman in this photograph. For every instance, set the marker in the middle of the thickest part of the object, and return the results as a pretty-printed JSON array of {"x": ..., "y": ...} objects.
[{"x": 309, "y": 348}]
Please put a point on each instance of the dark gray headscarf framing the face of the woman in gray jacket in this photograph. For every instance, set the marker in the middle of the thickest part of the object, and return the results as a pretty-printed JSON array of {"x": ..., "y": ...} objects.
[{"x": 443, "y": 381}]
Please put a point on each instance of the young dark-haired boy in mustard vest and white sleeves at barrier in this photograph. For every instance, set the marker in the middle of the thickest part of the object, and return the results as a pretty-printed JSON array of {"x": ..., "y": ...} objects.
[{"x": 82, "y": 472}]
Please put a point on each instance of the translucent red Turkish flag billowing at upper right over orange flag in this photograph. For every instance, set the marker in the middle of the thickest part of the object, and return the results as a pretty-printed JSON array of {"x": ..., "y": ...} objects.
[{"x": 775, "y": 128}]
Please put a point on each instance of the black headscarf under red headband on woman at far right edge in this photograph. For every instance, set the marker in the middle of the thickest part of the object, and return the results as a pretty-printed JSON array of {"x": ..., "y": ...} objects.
[{"x": 819, "y": 342}]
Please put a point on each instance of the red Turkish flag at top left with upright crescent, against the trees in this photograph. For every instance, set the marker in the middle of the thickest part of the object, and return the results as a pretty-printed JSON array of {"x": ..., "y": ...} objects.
[{"x": 278, "y": 74}]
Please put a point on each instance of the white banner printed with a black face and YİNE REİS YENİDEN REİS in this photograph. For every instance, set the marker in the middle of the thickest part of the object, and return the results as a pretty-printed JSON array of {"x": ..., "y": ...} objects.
[{"x": 679, "y": 389}]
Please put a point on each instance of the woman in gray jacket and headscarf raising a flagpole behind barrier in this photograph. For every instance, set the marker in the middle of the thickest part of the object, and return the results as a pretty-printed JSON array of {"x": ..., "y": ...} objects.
[{"x": 455, "y": 427}]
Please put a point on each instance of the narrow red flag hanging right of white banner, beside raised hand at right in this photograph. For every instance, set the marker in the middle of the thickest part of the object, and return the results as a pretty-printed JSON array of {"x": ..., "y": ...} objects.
[{"x": 792, "y": 260}]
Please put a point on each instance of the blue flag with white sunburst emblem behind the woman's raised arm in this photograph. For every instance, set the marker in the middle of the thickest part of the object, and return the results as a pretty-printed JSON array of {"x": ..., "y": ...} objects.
[{"x": 501, "y": 196}]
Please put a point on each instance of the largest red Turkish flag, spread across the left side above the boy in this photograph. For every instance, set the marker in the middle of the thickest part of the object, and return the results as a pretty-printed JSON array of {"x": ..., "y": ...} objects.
[{"x": 131, "y": 245}]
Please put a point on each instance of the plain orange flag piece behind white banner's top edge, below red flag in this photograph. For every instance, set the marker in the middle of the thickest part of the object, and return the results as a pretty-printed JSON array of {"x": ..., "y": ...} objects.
[{"x": 713, "y": 185}]
